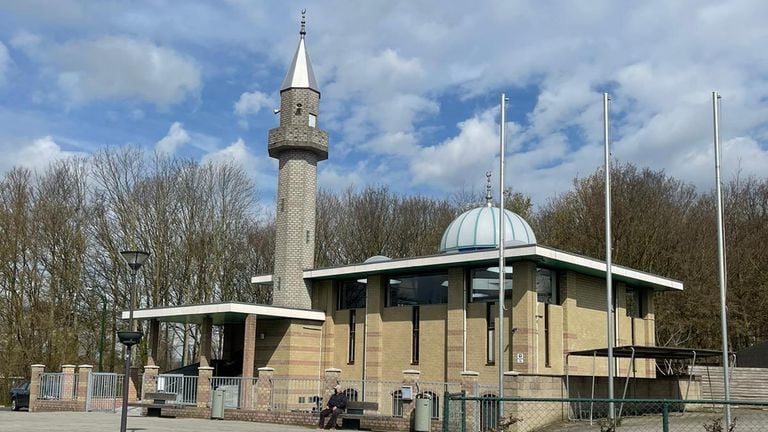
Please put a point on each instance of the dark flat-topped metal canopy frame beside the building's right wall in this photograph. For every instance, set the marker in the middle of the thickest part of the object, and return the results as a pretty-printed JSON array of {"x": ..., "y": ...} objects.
[{"x": 633, "y": 352}]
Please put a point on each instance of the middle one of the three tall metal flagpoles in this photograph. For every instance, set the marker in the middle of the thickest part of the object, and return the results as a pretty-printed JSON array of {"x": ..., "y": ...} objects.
[{"x": 608, "y": 253}]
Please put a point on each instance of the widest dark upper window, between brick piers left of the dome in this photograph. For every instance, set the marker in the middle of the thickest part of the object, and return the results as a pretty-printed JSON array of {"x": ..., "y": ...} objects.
[{"x": 418, "y": 290}]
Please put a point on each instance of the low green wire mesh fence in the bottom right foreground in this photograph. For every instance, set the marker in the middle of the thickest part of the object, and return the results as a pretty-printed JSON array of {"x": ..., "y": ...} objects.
[{"x": 631, "y": 415}]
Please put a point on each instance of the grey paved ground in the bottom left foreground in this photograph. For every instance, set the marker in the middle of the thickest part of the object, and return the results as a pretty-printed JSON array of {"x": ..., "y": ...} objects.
[{"x": 23, "y": 421}]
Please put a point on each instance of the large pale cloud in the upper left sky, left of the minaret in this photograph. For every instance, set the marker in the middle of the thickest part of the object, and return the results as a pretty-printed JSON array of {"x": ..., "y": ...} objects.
[{"x": 113, "y": 67}]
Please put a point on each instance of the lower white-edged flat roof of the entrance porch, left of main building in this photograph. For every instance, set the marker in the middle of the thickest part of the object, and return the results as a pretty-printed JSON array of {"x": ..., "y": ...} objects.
[{"x": 222, "y": 313}]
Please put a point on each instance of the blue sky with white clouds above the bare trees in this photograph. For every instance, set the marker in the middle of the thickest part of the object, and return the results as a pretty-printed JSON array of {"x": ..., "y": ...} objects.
[{"x": 410, "y": 89}]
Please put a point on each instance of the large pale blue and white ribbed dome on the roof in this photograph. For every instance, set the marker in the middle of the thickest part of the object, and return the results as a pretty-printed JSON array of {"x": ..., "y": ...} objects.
[{"x": 478, "y": 229}]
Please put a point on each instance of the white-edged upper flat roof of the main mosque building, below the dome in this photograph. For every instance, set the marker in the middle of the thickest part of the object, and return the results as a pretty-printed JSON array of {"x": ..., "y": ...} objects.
[{"x": 543, "y": 255}]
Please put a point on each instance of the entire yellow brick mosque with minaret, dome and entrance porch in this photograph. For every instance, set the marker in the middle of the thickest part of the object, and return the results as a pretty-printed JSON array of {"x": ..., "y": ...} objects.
[{"x": 432, "y": 316}]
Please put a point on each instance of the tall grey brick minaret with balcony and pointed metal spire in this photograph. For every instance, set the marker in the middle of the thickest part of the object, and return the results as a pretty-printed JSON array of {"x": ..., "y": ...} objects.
[{"x": 298, "y": 144}]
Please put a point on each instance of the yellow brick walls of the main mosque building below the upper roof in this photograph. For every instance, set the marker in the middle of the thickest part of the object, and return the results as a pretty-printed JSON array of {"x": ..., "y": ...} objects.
[{"x": 535, "y": 343}]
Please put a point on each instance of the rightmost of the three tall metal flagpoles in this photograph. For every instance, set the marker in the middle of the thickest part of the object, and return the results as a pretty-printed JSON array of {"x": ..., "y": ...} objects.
[{"x": 721, "y": 256}]
